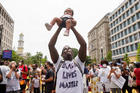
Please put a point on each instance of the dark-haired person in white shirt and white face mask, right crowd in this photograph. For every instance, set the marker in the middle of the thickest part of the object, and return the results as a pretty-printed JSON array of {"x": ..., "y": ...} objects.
[{"x": 103, "y": 76}]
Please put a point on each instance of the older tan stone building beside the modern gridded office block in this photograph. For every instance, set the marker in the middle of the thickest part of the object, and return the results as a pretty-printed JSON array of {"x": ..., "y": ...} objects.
[{"x": 99, "y": 39}]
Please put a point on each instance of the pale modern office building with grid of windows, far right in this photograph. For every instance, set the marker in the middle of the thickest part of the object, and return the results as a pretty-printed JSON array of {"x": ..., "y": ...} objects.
[{"x": 124, "y": 24}]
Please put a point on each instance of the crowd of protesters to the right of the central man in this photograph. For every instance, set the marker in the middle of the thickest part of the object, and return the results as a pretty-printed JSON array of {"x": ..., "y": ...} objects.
[{"x": 100, "y": 78}]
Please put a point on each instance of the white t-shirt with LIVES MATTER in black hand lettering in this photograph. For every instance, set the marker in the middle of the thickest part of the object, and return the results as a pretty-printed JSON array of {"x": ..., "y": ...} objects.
[{"x": 69, "y": 77}]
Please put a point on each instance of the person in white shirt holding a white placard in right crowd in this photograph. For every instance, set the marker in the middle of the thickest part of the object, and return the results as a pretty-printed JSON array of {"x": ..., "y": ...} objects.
[{"x": 115, "y": 72}]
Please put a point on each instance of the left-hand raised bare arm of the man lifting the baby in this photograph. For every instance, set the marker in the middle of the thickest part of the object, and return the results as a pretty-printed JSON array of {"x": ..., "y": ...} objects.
[{"x": 53, "y": 52}]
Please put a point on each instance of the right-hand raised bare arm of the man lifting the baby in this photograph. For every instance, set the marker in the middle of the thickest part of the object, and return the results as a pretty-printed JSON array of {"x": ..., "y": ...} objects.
[{"x": 83, "y": 47}]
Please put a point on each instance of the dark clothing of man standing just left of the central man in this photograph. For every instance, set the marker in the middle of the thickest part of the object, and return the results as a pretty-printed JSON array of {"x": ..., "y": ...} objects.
[{"x": 49, "y": 74}]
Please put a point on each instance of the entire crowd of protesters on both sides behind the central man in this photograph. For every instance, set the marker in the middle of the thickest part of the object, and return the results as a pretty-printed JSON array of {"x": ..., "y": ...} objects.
[{"x": 97, "y": 78}]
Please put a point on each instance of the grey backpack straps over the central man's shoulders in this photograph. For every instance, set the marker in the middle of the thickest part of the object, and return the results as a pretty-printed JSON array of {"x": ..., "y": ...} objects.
[{"x": 60, "y": 64}]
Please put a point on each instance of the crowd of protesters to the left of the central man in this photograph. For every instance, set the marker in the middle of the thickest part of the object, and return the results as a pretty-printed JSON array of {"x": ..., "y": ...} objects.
[{"x": 20, "y": 78}]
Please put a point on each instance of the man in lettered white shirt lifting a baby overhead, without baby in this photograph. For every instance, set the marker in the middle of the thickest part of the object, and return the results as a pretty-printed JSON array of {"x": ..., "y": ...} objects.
[{"x": 69, "y": 71}]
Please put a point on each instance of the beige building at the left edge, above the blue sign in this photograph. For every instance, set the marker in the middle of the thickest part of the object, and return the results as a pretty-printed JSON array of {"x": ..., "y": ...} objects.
[{"x": 7, "y": 30}]
